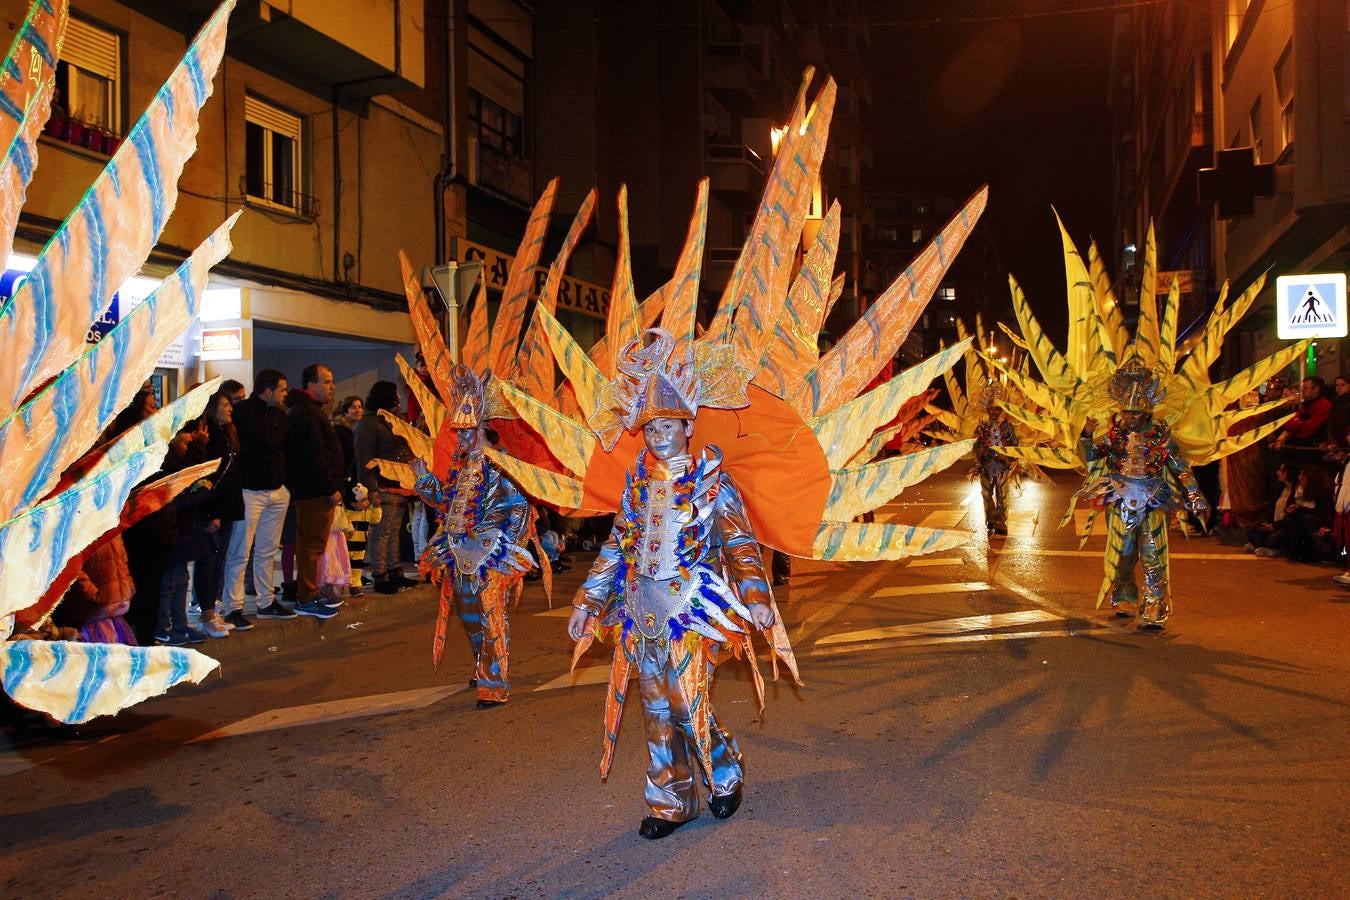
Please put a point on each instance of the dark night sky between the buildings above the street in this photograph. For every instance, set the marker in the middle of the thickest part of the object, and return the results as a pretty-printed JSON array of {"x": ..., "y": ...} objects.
[{"x": 1017, "y": 102}]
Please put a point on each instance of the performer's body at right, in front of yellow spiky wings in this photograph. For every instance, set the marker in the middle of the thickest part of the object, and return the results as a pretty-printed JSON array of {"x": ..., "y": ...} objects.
[{"x": 1144, "y": 476}]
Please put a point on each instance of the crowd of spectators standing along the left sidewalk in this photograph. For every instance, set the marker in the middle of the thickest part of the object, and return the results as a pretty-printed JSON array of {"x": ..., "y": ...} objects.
[{"x": 294, "y": 484}]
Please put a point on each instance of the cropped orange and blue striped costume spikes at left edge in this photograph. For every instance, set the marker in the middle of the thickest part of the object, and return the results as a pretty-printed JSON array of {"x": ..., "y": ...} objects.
[{"x": 57, "y": 395}]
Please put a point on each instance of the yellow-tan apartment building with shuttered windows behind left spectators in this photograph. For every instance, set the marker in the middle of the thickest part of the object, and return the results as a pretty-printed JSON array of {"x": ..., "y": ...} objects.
[{"x": 303, "y": 134}]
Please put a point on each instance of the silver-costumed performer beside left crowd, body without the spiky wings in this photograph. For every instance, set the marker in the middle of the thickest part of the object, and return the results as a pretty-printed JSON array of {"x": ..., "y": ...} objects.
[{"x": 480, "y": 547}]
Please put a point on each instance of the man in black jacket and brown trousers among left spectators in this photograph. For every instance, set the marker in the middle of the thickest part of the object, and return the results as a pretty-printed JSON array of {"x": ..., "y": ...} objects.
[{"x": 317, "y": 472}]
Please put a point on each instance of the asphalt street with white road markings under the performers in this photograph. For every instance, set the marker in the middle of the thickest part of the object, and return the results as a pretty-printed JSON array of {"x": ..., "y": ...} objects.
[{"x": 970, "y": 727}]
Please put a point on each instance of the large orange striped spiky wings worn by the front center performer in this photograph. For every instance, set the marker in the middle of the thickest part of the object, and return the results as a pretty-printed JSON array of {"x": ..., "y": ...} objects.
[{"x": 778, "y": 428}]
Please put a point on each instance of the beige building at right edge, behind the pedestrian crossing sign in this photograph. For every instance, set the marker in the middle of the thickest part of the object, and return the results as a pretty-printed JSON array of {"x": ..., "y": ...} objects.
[{"x": 1283, "y": 82}]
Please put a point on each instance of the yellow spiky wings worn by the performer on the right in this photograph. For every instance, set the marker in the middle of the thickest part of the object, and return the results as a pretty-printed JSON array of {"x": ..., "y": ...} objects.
[{"x": 1106, "y": 374}]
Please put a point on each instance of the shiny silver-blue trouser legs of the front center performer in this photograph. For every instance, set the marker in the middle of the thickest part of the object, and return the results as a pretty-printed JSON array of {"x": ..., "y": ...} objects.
[{"x": 672, "y": 790}]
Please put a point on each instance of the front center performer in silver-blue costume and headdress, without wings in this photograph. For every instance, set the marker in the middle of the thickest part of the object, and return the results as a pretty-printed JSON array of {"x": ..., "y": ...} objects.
[{"x": 680, "y": 570}]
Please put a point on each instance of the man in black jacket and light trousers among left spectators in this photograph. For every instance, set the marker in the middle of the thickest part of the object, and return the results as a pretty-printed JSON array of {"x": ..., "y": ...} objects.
[{"x": 263, "y": 461}]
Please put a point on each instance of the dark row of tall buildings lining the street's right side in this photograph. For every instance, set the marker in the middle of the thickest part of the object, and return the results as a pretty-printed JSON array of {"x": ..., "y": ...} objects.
[{"x": 1189, "y": 82}]
